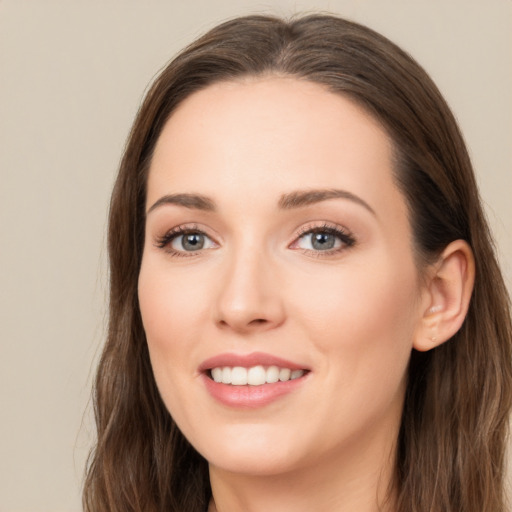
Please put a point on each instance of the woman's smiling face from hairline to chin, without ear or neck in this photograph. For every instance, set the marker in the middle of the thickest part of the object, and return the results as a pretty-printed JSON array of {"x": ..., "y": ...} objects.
[{"x": 278, "y": 288}]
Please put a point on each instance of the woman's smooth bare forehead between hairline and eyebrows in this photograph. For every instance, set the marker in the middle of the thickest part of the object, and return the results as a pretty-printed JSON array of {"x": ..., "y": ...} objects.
[{"x": 268, "y": 135}]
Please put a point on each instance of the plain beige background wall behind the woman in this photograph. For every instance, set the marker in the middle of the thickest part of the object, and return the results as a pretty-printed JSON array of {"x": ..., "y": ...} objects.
[{"x": 72, "y": 75}]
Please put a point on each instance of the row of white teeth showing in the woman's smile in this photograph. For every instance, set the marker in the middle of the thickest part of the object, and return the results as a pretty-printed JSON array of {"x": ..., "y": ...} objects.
[{"x": 254, "y": 376}]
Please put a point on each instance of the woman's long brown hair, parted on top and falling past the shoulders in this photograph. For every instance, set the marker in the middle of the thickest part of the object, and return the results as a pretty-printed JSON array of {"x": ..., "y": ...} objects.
[{"x": 450, "y": 451}]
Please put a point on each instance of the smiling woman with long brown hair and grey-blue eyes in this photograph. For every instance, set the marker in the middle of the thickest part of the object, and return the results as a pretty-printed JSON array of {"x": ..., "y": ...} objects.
[{"x": 306, "y": 312}]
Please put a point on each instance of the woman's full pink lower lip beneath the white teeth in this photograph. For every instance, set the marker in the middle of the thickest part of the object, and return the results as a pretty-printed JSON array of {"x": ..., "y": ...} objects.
[{"x": 250, "y": 397}]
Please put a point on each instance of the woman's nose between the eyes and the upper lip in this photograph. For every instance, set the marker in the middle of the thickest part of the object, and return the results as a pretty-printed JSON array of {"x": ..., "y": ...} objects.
[{"x": 250, "y": 298}]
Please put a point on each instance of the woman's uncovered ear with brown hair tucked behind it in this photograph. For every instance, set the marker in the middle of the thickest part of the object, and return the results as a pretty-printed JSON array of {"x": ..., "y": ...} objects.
[{"x": 446, "y": 296}]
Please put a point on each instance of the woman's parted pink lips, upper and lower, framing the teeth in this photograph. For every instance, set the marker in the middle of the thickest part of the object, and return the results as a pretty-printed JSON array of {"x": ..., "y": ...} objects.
[{"x": 249, "y": 397}]
